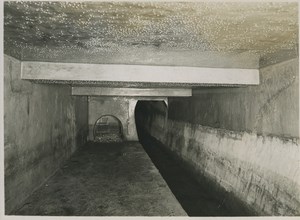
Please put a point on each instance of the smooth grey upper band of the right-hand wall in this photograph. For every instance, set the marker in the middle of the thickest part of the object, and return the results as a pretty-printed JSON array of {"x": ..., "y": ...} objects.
[{"x": 272, "y": 108}]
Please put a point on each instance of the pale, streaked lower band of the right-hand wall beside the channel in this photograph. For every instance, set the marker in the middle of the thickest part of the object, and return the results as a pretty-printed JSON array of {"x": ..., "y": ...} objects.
[{"x": 261, "y": 171}]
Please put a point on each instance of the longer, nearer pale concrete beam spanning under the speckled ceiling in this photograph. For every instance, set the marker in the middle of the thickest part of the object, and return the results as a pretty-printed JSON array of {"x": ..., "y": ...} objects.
[{"x": 138, "y": 73}]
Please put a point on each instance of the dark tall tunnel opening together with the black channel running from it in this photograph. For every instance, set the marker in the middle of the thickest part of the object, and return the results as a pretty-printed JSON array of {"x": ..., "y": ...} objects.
[{"x": 197, "y": 198}]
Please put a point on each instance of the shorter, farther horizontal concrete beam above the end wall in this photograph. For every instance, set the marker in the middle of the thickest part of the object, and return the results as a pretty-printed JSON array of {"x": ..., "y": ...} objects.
[{"x": 100, "y": 91}]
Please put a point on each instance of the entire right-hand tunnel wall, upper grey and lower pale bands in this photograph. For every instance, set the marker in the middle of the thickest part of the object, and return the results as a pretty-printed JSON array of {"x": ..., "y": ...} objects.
[{"x": 243, "y": 139}]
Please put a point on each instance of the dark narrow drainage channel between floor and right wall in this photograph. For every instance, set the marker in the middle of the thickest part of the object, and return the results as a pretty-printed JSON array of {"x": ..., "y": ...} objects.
[{"x": 197, "y": 199}]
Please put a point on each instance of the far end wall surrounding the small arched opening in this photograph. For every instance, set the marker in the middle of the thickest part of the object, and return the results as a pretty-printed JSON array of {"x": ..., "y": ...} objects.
[{"x": 120, "y": 107}]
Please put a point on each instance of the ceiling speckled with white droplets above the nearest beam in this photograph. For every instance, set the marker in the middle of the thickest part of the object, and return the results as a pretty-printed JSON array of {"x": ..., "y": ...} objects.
[{"x": 189, "y": 34}]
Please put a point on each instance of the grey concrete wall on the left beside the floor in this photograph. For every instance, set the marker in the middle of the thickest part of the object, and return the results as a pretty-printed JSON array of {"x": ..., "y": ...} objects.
[{"x": 43, "y": 126}]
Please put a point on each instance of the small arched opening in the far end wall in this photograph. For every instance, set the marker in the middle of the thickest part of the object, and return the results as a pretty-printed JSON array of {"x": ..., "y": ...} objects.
[{"x": 108, "y": 128}]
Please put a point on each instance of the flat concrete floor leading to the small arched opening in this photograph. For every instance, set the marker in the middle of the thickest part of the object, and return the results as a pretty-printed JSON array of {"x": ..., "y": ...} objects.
[{"x": 112, "y": 179}]
